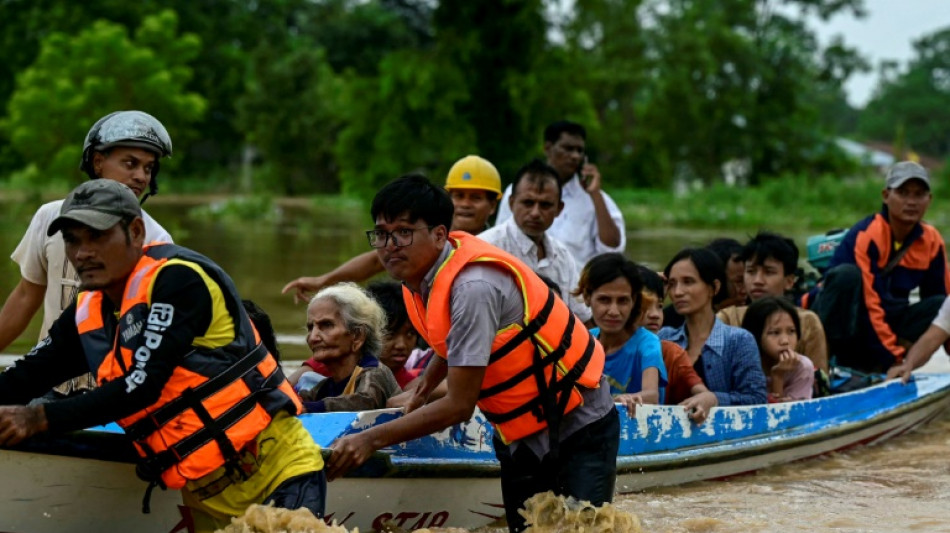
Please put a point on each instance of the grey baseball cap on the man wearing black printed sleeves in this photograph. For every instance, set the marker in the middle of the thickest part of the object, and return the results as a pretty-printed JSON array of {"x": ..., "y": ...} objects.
[{"x": 99, "y": 204}]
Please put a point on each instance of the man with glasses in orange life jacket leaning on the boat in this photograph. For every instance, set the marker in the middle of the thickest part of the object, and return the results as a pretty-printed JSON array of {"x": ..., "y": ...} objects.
[{"x": 483, "y": 312}]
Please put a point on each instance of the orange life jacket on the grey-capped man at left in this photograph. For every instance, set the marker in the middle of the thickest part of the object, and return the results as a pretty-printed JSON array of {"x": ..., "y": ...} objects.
[{"x": 216, "y": 400}]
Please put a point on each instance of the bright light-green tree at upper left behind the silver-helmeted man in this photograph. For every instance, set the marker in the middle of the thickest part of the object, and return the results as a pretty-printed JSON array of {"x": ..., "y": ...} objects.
[{"x": 78, "y": 78}]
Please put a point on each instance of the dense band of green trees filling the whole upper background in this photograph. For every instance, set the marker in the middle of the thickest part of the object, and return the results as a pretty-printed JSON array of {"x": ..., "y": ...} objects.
[{"x": 343, "y": 95}]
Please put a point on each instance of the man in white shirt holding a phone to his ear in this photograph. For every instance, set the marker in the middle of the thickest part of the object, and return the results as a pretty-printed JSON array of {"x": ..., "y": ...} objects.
[{"x": 590, "y": 223}]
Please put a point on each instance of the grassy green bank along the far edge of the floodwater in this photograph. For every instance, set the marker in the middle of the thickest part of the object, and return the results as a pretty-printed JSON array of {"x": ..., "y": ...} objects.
[{"x": 811, "y": 204}]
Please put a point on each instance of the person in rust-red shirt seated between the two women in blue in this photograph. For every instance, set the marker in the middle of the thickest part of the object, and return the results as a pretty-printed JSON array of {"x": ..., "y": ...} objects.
[{"x": 684, "y": 386}]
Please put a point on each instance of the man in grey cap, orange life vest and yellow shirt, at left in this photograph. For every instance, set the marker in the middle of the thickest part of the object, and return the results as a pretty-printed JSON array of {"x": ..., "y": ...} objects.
[{"x": 150, "y": 324}]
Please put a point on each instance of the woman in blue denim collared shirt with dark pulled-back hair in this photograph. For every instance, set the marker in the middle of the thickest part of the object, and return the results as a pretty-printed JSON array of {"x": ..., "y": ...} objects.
[{"x": 726, "y": 357}]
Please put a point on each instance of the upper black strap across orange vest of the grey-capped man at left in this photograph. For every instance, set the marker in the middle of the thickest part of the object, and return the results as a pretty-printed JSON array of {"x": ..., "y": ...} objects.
[{"x": 155, "y": 420}]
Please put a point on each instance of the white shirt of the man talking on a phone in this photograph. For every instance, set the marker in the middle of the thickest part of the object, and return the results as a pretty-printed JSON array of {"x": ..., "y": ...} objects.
[{"x": 576, "y": 226}]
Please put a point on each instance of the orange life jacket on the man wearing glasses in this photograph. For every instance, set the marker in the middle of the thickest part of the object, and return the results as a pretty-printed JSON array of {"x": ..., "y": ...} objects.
[{"x": 534, "y": 367}]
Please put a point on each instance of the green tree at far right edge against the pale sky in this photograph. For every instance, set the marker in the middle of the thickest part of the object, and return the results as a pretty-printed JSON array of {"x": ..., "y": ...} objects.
[{"x": 914, "y": 103}]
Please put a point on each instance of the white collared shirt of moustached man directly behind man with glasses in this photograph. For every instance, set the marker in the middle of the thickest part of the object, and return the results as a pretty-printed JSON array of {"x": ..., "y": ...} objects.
[{"x": 558, "y": 263}]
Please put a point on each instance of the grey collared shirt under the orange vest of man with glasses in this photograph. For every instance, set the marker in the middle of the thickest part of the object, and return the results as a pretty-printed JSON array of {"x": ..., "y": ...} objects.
[{"x": 485, "y": 300}]
